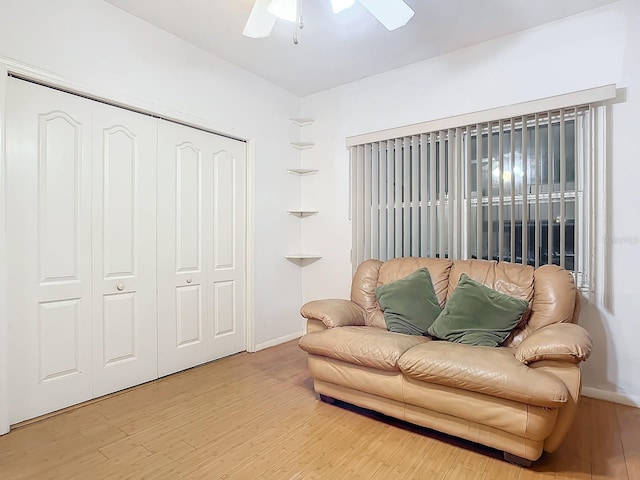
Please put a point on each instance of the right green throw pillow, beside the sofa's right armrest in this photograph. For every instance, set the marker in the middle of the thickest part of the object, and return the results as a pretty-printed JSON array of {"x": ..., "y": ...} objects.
[{"x": 477, "y": 315}]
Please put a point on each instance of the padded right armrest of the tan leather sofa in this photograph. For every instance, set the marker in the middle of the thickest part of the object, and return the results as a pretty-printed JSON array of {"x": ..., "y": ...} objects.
[{"x": 565, "y": 342}]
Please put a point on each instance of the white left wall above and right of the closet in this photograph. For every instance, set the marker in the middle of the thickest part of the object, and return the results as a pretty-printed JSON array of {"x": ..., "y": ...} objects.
[{"x": 98, "y": 46}]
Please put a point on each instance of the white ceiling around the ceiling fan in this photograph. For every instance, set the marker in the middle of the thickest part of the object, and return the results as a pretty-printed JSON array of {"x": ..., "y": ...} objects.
[{"x": 337, "y": 49}]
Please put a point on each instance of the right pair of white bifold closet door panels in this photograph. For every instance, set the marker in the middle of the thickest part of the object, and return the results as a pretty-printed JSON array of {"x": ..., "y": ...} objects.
[{"x": 201, "y": 247}]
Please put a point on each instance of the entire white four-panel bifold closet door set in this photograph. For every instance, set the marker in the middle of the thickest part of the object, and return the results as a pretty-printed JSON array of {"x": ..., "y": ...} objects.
[{"x": 125, "y": 241}]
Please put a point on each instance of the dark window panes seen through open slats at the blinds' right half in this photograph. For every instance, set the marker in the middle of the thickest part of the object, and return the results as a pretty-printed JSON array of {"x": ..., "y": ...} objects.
[{"x": 524, "y": 196}]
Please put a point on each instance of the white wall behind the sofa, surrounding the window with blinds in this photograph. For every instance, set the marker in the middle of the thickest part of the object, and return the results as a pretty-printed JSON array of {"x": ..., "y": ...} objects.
[{"x": 593, "y": 49}]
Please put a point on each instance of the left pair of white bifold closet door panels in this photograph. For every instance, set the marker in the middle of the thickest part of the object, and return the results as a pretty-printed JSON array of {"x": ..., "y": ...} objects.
[{"x": 81, "y": 259}]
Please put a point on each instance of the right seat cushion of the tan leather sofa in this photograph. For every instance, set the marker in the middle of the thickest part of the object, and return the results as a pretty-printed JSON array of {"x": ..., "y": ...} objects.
[{"x": 489, "y": 370}]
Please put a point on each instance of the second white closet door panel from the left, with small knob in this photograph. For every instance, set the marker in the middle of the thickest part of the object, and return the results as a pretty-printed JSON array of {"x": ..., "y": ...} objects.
[{"x": 124, "y": 254}]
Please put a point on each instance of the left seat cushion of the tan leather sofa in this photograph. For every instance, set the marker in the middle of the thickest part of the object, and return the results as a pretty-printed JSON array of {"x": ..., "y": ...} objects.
[{"x": 366, "y": 346}]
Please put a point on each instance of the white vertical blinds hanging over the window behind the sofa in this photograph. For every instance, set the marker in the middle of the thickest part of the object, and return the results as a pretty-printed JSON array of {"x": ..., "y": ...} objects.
[{"x": 509, "y": 190}]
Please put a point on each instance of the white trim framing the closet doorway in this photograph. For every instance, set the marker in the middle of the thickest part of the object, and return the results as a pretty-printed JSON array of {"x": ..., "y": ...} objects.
[{"x": 10, "y": 67}]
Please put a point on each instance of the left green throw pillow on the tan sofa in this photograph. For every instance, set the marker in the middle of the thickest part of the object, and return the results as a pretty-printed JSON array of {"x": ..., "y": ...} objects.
[{"x": 410, "y": 304}]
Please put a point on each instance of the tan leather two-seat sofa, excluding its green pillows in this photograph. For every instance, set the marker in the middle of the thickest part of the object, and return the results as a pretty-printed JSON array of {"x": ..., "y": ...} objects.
[{"x": 519, "y": 398}]
